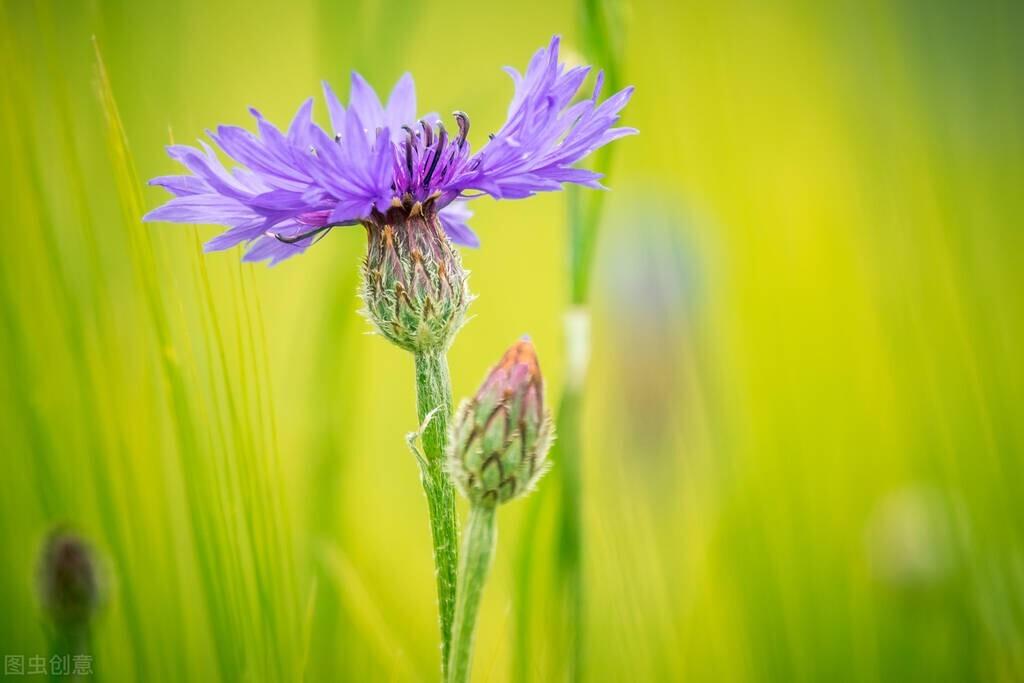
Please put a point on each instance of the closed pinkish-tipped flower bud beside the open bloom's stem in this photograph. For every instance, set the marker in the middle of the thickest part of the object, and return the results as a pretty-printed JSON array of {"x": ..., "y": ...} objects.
[{"x": 500, "y": 438}]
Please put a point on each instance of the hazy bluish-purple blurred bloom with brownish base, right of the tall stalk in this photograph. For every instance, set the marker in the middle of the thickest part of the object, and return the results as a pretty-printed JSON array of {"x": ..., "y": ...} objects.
[{"x": 652, "y": 284}]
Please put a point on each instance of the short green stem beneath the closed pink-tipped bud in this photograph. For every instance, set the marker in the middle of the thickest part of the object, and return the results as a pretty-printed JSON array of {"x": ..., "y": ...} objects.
[{"x": 477, "y": 553}]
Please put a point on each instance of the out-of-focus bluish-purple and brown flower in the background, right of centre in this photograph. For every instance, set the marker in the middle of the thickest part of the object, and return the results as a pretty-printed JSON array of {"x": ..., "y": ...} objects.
[{"x": 654, "y": 283}]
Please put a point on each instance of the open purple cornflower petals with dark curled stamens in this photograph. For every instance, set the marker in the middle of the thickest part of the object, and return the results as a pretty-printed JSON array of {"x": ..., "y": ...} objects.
[{"x": 379, "y": 162}]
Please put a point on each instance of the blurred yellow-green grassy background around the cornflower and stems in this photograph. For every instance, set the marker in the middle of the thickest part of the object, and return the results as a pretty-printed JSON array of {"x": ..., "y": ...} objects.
[{"x": 803, "y": 431}]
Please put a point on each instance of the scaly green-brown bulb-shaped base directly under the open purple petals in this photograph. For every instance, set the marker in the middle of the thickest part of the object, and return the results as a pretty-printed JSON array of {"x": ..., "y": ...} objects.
[{"x": 414, "y": 284}]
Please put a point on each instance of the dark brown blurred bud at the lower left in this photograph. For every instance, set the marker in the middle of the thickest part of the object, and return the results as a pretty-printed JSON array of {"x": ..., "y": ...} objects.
[{"x": 69, "y": 585}]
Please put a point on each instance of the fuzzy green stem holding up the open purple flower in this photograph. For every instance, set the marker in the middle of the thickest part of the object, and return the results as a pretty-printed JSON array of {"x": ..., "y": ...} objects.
[{"x": 434, "y": 398}]
